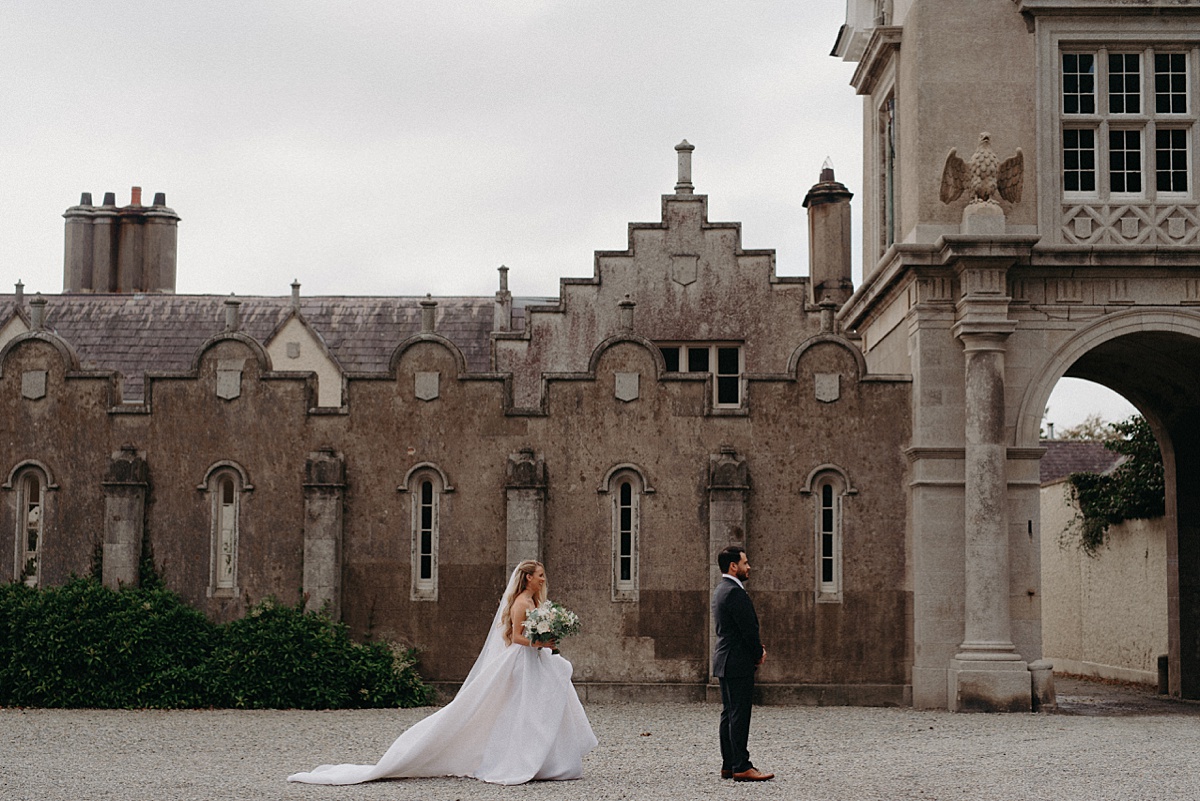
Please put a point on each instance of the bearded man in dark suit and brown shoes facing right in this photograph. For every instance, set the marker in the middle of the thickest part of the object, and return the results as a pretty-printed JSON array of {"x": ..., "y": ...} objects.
[{"x": 739, "y": 654}]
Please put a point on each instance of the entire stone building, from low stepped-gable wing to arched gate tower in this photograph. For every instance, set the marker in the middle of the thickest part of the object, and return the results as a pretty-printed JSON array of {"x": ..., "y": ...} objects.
[{"x": 877, "y": 449}]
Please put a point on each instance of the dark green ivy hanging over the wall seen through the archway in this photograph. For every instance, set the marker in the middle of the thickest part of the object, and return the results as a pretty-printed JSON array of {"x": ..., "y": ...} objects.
[{"x": 1133, "y": 491}]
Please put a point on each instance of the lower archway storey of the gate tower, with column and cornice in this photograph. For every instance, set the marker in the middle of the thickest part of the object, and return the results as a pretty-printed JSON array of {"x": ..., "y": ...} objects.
[{"x": 987, "y": 326}]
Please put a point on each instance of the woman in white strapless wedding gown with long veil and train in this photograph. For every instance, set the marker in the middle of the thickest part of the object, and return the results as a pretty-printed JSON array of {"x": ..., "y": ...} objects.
[{"x": 517, "y": 718}]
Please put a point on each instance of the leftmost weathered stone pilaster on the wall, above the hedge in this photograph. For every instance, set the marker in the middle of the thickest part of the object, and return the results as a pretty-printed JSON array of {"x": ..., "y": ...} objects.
[{"x": 125, "y": 502}]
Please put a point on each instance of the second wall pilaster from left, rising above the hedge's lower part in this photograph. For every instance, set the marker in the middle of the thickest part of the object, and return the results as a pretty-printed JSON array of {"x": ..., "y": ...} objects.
[{"x": 325, "y": 491}]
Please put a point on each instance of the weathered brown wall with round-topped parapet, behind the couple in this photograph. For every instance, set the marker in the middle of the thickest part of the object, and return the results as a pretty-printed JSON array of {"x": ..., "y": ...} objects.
[{"x": 469, "y": 433}]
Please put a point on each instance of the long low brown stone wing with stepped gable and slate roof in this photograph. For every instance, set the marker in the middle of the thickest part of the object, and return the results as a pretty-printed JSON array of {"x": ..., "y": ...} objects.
[{"x": 394, "y": 457}]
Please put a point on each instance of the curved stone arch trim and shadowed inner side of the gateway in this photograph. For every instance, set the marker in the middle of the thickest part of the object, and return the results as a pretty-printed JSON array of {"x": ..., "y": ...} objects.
[{"x": 1154, "y": 360}]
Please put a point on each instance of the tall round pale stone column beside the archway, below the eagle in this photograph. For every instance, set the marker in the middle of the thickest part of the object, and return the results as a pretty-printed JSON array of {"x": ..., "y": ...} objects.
[{"x": 987, "y": 674}]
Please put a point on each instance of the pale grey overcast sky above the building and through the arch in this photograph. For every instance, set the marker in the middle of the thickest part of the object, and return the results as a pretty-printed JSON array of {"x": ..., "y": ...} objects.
[{"x": 415, "y": 147}]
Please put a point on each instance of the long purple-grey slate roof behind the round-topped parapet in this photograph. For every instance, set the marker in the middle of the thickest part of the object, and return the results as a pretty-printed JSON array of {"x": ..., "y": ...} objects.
[{"x": 140, "y": 334}]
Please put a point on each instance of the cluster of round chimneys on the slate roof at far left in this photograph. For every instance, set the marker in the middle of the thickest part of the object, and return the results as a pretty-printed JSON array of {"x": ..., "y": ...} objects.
[{"x": 127, "y": 250}]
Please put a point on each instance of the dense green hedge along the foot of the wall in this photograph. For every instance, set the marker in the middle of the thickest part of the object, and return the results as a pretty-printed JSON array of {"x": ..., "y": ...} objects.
[{"x": 83, "y": 646}]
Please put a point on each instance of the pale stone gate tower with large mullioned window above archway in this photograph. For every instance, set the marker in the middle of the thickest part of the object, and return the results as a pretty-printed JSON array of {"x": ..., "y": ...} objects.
[{"x": 1093, "y": 274}]
